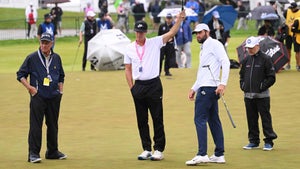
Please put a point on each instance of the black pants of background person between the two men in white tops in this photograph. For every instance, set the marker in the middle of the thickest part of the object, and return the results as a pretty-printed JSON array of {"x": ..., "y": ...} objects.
[{"x": 168, "y": 53}]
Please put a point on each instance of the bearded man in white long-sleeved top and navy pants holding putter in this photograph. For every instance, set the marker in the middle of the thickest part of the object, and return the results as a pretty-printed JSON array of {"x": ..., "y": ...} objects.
[{"x": 209, "y": 86}]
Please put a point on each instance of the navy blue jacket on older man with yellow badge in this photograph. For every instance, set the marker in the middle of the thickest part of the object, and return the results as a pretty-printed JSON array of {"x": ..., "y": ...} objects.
[{"x": 33, "y": 67}]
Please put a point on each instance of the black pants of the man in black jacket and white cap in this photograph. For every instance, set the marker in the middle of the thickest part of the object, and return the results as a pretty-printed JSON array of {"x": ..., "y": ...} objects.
[{"x": 254, "y": 108}]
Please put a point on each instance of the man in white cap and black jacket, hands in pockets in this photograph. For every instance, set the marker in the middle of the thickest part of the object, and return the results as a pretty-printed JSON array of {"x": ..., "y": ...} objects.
[{"x": 257, "y": 74}]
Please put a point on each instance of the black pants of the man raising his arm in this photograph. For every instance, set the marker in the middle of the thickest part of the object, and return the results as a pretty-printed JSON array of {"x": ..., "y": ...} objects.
[{"x": 148, "y": 95}]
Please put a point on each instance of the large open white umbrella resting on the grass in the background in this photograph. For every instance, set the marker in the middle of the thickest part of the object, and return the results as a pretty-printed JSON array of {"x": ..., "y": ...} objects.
[{"x": 106, "y": 49}]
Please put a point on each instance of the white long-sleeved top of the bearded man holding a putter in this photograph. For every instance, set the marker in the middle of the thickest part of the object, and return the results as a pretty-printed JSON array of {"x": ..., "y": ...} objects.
[{"x": 213, "y": 54}]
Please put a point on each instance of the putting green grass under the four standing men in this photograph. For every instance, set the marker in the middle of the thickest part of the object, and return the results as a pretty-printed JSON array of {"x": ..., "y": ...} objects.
[{"x": 97, "y": 125}]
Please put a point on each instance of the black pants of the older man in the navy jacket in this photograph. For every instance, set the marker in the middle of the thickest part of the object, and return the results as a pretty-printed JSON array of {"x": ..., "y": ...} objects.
[{"x": 40, "y": 107}]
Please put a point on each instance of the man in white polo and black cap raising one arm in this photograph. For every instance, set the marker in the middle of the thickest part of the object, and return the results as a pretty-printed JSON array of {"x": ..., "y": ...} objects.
[{"x": 142, "y": 63}]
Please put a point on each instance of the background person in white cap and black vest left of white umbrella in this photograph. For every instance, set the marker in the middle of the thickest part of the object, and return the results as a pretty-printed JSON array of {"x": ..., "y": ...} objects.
[{"x": 89, "y": 30}]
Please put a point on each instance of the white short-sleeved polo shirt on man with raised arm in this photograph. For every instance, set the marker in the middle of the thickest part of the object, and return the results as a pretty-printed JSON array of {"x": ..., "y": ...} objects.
[{"x": 144, "y": 60}]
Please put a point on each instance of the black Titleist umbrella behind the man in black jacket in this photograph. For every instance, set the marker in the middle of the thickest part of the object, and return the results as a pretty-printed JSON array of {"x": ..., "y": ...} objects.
[{"x": 275, "y": 49}]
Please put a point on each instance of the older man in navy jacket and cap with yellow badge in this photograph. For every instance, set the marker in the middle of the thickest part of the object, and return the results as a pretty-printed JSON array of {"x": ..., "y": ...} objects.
[{"x": 44, "y": 67}]
